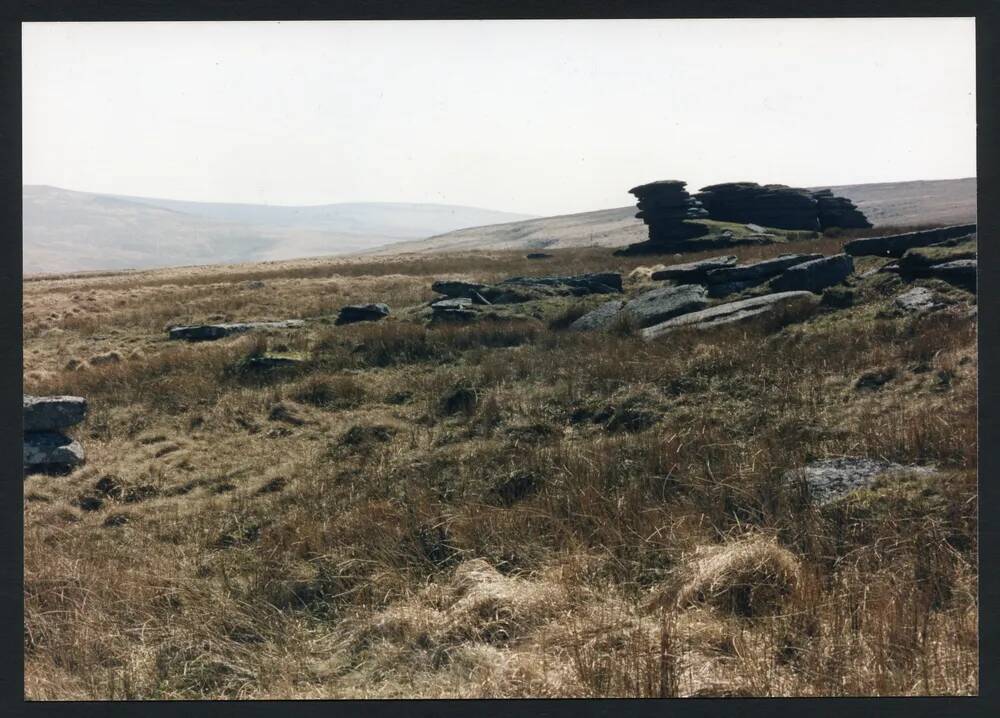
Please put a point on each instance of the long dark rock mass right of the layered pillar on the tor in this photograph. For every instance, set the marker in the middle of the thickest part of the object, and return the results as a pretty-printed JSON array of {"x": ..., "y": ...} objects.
[{"x": 772, "y": 205}]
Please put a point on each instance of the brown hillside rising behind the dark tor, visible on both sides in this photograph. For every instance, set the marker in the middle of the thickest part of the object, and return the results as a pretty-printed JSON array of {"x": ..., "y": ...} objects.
[{"x": 885, "y": 204}]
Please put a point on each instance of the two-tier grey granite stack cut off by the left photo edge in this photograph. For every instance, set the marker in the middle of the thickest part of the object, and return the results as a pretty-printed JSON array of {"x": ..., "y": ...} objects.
[{"x": 46, "y": 447}]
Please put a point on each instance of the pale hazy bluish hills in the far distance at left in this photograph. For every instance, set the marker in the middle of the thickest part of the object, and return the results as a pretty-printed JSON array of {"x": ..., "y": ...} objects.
[{"x": 67, "y": 231}]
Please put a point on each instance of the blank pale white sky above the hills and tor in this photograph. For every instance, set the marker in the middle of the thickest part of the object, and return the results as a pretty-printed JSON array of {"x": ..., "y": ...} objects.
[{"x": 542, "y": 117}]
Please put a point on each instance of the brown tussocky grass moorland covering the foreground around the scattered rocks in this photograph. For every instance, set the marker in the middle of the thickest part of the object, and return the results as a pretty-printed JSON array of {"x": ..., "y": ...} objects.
[{"x": 501, "y": 509}]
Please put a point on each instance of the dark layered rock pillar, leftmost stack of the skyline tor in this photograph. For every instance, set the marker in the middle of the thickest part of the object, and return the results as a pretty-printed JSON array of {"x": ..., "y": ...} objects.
[{"x": 664, "y": 207}]
